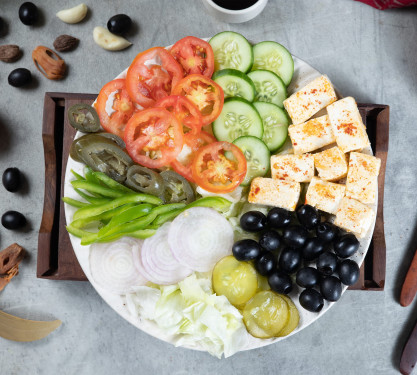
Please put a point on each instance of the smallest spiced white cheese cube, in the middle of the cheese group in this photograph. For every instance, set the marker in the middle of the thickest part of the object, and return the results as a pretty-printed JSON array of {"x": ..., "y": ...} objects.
[{"x": 331, "y": 164}]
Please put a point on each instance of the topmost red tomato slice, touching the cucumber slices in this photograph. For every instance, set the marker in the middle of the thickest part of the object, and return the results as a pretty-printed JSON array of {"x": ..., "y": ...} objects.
[{"x": 195, "y": 56}]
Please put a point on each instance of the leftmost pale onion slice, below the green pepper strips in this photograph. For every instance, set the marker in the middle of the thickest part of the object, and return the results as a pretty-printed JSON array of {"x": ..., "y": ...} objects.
[{"x": 112, "y": 267}]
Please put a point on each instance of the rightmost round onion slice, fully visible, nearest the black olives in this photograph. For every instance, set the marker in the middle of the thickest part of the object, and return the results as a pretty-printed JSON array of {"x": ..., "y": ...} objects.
[{"x": 199, "y": 237}]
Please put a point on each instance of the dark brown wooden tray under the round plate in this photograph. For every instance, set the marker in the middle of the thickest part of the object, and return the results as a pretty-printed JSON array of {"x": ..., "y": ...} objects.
[{"x": 56, "y": 258}]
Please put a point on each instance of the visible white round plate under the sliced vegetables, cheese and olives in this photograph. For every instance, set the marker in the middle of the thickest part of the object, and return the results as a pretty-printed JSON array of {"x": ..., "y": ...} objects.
[{"x": 303, "y": 74}]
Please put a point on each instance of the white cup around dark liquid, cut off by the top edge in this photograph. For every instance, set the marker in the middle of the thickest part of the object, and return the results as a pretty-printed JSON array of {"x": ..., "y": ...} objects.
[{"x": 234, "y": 16}]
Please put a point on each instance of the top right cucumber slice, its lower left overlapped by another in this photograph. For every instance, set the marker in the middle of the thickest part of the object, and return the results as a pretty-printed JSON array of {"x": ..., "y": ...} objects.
[{"x": 274, "y": 57}]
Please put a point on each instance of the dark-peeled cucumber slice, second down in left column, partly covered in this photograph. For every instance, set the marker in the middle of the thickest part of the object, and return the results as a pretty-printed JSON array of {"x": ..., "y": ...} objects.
[{"x": 235, "y": 83}]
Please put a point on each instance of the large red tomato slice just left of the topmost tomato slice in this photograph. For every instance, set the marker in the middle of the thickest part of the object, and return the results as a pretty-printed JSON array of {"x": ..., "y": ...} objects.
[{"x": 152, "y": 75}]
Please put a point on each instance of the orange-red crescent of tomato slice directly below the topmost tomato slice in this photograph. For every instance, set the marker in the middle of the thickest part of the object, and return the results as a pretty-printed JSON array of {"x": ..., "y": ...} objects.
[{"x": 206, "y": 94}]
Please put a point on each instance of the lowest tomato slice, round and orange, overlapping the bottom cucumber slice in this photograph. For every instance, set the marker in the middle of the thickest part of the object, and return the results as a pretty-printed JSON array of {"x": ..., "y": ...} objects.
[{"x": 219, "y": 167}]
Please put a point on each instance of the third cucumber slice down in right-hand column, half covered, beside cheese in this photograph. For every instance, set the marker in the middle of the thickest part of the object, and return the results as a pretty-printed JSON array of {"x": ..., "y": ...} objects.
[{"x": 275, "y": 122}]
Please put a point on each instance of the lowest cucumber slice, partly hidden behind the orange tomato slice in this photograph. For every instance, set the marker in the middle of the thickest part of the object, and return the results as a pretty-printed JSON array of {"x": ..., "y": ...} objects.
[{"x": 257, "y": 157}]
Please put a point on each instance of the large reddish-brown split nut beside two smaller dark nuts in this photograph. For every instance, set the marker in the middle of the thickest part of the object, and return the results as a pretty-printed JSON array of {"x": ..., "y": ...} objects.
[{"x": 49, "y": 63}]
